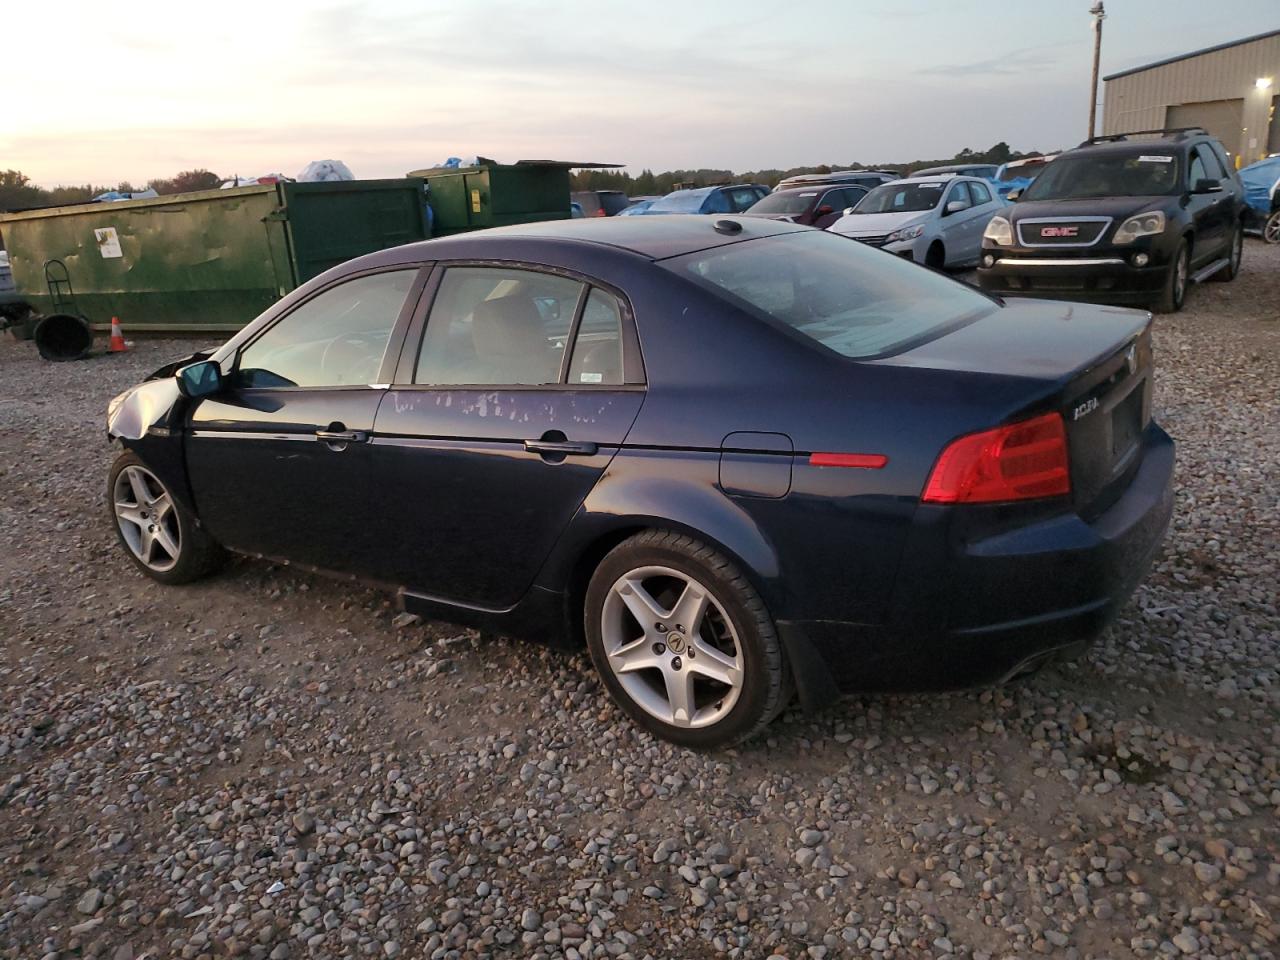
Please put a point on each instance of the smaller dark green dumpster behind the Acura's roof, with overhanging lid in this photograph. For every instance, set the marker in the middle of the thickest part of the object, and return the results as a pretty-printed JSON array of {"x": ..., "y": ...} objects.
[{"x": 497, "y": 195}]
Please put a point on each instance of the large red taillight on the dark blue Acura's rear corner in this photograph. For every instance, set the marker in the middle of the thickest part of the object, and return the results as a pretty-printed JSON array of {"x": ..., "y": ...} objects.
[{"x": 1018, "y": 463}]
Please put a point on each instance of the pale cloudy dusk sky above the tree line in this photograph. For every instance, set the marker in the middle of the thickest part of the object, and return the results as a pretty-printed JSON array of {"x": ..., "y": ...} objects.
[{"x": 139, "y": 90}]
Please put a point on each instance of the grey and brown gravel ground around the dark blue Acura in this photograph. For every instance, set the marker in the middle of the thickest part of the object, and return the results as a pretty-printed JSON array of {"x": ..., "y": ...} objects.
[{"x": 271, "y": 765}]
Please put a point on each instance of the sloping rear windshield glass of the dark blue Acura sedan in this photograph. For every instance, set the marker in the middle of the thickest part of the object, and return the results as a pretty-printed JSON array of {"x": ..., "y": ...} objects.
[{"x": 852, "y": 299}]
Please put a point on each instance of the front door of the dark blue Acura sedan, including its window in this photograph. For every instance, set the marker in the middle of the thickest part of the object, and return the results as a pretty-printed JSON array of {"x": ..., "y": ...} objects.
[{"x": 280, "y": 461}]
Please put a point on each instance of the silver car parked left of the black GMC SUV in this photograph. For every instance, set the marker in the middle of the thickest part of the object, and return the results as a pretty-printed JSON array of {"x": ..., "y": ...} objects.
[{"x": 934, "y": 221}]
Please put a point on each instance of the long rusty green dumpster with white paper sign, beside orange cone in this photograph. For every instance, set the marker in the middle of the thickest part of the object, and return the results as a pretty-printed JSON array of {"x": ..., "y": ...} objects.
[{"x": 203, "y": 262}]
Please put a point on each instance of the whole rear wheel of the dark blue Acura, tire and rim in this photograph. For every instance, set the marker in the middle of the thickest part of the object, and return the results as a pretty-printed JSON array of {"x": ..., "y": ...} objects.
[{"x": 684, "y": 643}]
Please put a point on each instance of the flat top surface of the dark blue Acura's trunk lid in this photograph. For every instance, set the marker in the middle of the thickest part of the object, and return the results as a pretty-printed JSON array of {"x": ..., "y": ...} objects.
[{"x": 1040, "y": 340}]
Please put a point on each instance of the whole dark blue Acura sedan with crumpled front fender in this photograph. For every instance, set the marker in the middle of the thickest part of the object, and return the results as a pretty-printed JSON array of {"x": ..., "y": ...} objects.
[{"x": 740, "y": 459}]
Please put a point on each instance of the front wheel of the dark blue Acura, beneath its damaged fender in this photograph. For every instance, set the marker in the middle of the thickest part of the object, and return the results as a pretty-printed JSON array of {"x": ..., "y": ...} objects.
[{"x": 159, "y": 534}]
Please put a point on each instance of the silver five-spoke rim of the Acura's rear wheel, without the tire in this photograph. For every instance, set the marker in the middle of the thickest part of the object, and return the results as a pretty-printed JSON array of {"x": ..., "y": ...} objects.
[{"x": 671, "y": 647}]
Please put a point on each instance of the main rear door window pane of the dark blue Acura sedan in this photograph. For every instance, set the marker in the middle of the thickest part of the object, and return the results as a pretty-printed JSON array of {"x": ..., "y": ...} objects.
[{"x": 497, "y": 327}]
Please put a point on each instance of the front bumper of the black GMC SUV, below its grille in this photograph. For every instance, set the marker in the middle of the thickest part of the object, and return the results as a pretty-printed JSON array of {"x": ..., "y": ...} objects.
[{"x": 1099, "y": 277}]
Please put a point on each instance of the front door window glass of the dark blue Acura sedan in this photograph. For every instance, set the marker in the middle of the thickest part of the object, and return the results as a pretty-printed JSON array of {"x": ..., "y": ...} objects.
[{"x": 335, "y": 340}]
